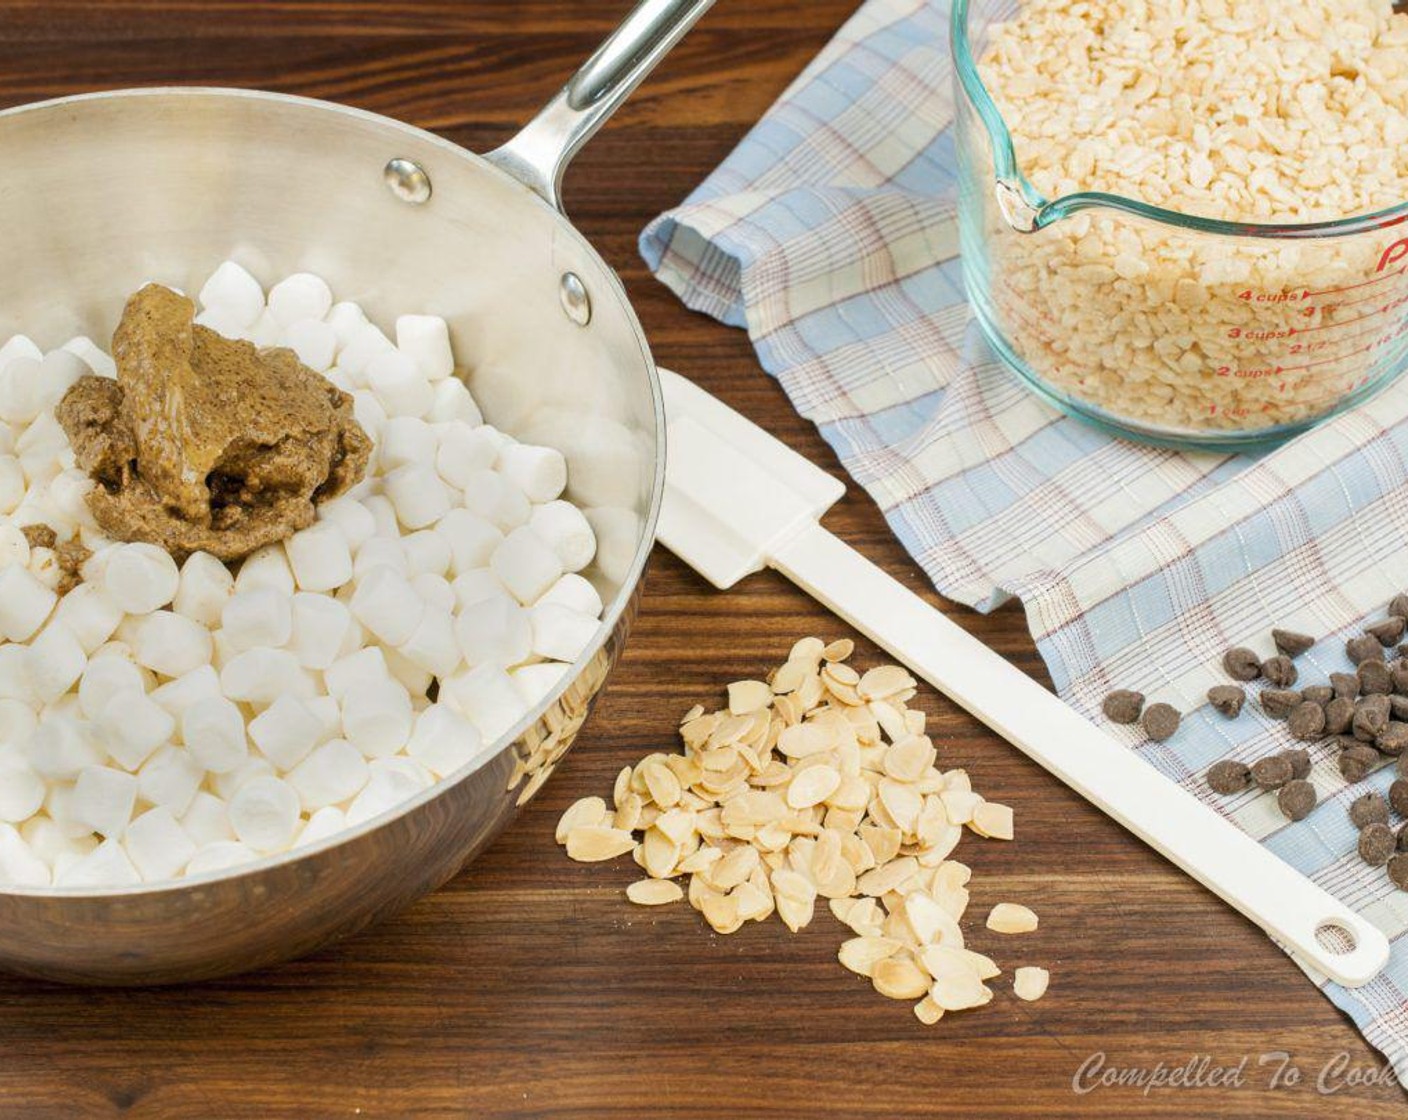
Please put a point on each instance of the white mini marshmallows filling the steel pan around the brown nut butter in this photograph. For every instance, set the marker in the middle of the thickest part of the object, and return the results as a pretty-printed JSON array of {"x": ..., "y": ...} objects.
[{"x": 164, "y": 721}]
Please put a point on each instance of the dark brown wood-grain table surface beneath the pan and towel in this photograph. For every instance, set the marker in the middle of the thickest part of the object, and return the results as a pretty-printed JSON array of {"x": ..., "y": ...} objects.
[{"x": 529, "y": 987}]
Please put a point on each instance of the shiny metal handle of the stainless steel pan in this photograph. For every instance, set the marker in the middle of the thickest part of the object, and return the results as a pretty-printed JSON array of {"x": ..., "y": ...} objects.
[{"x": 540, "y": 154}]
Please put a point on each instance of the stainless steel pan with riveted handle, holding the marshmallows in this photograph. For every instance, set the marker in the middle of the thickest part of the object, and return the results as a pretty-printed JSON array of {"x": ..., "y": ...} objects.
[{"x": 106, "y": 191}]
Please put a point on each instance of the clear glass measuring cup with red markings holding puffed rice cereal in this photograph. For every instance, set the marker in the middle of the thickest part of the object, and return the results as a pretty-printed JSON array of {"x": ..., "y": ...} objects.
[{"x": 1162, "y": 326}]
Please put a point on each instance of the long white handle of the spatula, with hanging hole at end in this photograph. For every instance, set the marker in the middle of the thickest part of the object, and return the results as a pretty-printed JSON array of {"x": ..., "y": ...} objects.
[{"x": 1106, "y": 773}]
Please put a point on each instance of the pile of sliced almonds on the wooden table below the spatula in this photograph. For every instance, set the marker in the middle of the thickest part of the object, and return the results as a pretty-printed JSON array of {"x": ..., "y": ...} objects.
[{"x": 817, "y": 783}]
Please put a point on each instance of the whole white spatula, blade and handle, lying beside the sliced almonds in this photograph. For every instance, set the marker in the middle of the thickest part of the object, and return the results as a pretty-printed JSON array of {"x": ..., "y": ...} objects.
[{"x": 738, "y": 501}]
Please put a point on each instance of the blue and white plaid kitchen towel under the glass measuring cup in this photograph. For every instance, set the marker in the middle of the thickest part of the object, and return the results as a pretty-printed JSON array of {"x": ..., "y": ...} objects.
[{"x": 830, "y": 236}]
